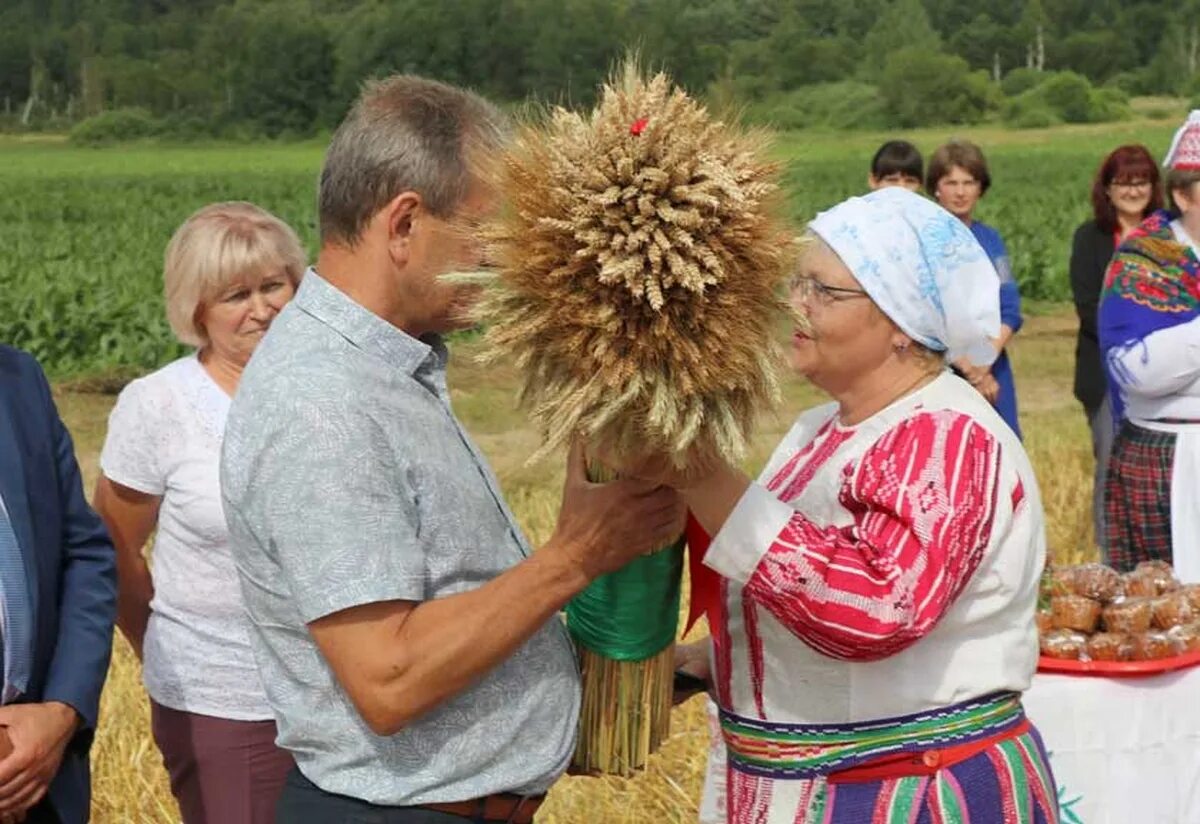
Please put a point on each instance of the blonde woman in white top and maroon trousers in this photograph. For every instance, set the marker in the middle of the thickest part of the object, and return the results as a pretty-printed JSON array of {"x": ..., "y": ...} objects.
[{"x": 230, "y": 269}]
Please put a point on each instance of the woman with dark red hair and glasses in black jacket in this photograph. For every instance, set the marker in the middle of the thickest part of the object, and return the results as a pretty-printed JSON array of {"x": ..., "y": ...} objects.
[{"x": 1125, "y": 193}]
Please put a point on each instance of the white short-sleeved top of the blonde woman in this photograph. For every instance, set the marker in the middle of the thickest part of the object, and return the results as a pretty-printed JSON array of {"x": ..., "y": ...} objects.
[{"x": 165, "y": 440}]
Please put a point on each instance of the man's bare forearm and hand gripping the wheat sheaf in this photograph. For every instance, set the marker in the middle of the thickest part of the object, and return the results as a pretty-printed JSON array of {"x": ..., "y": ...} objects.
[{"x": 398, "y": 660}]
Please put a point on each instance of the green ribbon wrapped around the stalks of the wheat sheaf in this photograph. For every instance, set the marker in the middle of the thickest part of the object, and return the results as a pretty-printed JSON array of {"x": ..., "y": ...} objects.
[{"x": 631, "y": 615}]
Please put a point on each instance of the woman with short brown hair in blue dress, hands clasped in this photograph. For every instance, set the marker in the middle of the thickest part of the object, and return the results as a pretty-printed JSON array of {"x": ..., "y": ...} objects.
[{"x": 958, "y": 178}]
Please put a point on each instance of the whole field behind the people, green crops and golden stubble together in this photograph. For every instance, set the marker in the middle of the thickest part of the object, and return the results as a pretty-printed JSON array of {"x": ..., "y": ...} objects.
[{"x": 85, "y": 233}]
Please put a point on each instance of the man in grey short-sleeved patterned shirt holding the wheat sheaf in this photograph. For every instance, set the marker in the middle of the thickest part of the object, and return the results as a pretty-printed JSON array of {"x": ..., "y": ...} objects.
[{"x": 407, "y": 637}]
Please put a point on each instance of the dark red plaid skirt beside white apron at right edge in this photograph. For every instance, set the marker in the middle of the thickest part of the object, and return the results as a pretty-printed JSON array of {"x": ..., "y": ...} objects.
[{"x": 1138, "y": 497}]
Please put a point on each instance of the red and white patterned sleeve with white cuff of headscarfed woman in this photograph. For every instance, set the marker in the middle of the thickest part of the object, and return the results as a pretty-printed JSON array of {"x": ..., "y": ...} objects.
[{"x": 925, "y": 501}]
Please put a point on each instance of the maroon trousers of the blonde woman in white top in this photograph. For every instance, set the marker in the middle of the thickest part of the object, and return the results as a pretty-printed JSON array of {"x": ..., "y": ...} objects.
[{"x": 221, "y": 772}]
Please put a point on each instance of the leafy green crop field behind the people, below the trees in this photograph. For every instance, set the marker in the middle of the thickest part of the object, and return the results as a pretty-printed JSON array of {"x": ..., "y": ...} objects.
[{"x": 85, "y": 230}]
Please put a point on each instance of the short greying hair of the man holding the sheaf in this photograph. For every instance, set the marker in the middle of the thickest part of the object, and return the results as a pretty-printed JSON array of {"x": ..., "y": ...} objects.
[{"x": 405, "y": 134}]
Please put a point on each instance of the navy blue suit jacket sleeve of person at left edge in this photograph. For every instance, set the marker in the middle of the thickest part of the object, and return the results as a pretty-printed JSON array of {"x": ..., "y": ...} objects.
[{"x": 88, "y": 600}]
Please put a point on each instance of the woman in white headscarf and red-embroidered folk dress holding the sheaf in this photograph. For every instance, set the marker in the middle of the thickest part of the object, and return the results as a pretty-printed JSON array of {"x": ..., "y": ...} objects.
[{"x": 874, "y": 628}]
